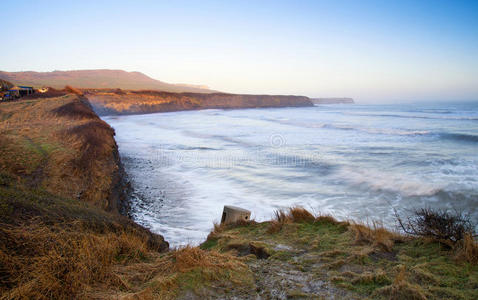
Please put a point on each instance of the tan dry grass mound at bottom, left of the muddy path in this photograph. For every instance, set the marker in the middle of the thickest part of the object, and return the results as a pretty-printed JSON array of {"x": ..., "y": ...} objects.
[{"x": 188, "y": 268}]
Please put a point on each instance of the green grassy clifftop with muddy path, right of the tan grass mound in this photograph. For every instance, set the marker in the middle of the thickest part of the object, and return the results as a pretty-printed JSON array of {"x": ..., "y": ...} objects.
[{"x": 320, "y": 257}]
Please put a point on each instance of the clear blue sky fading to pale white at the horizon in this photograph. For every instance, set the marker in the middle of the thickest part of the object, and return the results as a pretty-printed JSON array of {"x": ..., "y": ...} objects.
[{"x": 370, "y": 50}]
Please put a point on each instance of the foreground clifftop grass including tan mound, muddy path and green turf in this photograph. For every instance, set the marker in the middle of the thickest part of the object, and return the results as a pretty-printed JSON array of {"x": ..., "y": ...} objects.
[{"x": 305, "y": 258}]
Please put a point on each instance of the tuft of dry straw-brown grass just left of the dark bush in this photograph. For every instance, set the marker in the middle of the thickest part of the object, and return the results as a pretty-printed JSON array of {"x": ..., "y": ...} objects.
[{"x": 375, "y": 235}]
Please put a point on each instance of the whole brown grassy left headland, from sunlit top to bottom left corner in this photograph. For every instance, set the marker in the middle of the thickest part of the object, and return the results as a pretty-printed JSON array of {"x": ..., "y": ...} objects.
[{"x": 57, "y": 166}]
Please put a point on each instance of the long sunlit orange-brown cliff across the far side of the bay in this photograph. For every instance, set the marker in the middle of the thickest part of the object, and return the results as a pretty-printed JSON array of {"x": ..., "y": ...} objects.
[{"x": 111, "y": 102}]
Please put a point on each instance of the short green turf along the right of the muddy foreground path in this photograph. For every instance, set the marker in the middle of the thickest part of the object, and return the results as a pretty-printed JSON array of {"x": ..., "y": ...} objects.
[{"x": 332, "y": 252}]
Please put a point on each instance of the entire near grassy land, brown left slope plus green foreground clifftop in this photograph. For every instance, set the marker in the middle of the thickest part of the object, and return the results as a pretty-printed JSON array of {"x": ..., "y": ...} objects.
[{"x": 57, "y": 240}]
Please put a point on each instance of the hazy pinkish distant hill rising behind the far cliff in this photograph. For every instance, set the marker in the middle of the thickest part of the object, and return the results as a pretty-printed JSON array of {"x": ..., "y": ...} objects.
[{"x": 98, "y": 79}]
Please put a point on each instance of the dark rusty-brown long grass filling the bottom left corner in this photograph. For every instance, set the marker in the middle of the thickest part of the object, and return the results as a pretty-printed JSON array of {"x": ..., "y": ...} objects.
[{"x": 41, "y": 261}]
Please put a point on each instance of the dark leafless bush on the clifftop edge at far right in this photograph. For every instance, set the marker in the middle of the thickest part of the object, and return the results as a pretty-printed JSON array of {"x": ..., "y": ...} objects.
[{"x": 440, "y": 225}]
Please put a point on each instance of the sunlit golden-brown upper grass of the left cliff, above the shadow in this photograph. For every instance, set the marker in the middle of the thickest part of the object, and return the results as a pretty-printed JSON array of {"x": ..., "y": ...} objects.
[{"x": 59, "y": 144}]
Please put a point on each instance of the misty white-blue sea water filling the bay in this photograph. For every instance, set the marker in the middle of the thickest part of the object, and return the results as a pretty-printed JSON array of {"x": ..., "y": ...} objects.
[{"x": 358, "y": 162}]
